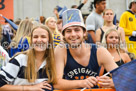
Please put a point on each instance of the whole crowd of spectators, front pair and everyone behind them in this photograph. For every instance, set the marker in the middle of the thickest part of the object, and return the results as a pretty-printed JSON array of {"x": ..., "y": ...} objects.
[{"x": 67, "y": 51}]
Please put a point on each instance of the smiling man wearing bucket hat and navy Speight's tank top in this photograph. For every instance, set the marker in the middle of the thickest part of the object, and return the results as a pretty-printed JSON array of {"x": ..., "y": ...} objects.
[{"x": 77, "y": 63}]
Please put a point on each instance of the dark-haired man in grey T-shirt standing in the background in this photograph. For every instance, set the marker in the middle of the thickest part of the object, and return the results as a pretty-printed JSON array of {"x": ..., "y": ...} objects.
[{"x": 95, "y": 20}]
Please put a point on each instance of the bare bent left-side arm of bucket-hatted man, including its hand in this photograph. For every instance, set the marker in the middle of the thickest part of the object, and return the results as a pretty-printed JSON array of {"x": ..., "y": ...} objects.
[{"x": 60, "y": 57}]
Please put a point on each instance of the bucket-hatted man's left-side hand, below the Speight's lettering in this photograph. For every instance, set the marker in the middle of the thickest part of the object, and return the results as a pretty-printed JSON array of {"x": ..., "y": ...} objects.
[{"x": 89, "y": 82}]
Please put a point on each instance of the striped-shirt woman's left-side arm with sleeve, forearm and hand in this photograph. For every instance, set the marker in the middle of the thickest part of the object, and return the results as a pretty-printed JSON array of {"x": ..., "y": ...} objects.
[{"x": 10, "y": 72}]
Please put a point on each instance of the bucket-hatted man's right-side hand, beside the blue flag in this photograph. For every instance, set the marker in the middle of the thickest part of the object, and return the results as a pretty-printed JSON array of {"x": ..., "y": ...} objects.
[{"x": 105, "y": 81}]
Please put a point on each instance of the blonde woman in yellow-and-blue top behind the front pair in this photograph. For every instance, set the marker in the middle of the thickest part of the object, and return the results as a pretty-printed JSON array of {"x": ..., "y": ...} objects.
[{"x": 52, "y": 24}]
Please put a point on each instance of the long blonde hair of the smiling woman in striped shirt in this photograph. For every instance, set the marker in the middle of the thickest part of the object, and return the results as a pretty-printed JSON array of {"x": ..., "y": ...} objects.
[{"x": 30, "y": 71}]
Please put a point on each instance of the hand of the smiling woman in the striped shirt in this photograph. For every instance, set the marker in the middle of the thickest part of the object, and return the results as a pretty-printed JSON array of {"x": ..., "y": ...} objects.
[{"x": 41, "y": 86}]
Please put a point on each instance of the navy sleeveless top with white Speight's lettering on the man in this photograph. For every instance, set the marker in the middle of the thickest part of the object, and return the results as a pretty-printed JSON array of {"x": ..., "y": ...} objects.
[{"x": 75, "y": 71}]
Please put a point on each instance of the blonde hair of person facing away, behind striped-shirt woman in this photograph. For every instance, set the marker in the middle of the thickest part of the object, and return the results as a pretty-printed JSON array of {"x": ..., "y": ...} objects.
[{"x": 23, "y": 30}]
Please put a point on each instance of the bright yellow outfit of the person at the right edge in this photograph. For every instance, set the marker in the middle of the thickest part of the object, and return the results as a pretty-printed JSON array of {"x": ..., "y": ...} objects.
[{"x": 128, "y": 23}]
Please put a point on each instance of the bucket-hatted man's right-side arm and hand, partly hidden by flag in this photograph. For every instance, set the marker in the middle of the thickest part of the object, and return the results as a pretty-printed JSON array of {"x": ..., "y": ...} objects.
[{"x": 105, "y": 59}]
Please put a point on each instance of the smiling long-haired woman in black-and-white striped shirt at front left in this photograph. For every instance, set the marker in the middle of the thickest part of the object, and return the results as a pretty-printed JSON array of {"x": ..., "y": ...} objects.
[{"x": 34, "y": 69}]
